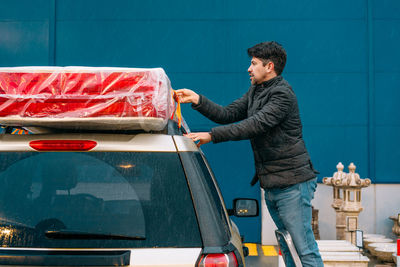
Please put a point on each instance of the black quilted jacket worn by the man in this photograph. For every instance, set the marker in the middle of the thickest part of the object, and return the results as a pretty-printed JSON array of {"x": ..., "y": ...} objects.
[{"x": 268, "y": 115}]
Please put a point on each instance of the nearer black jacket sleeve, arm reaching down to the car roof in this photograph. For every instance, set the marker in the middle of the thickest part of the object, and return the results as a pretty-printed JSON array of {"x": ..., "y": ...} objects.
[{"x": 271, "y": 114}]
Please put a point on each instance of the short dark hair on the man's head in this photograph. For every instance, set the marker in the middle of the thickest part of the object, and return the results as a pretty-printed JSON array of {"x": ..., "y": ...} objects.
[{"x": 270, "y": 51}]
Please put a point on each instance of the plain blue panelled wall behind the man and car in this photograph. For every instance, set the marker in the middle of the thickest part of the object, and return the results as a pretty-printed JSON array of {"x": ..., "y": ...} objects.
[{"x": 343, "y": 63}]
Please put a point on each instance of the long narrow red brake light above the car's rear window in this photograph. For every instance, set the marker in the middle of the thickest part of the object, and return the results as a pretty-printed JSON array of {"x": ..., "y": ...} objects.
[{"x": 62, "y": 145}]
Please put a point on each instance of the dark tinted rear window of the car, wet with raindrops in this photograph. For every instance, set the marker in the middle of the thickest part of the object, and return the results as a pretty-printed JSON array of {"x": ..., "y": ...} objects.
[{"x": 96, "y": 199}]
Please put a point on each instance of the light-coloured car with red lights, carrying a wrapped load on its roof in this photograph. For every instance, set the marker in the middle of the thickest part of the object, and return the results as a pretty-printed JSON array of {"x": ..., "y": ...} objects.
[{"x": 114, "y": 198}]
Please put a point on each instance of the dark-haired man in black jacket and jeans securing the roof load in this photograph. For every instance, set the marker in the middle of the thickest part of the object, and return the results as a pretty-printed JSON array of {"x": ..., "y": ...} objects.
[{"x": 268, "y": 115}]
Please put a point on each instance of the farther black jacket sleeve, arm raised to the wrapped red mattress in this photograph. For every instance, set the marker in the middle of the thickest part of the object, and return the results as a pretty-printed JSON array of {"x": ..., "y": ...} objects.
[{"x": 234, "y": 112}]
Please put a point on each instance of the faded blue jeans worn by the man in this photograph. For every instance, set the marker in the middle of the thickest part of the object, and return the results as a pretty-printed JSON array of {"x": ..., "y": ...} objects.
[{"x": 290, "y": 208}]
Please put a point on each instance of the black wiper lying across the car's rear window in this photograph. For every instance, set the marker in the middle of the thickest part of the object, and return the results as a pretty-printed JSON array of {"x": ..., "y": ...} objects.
[{"x": 65, "y": 234}]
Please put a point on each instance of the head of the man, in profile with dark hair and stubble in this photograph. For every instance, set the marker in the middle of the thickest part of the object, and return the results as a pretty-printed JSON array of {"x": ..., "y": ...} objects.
[{"x": 268, "y": 60}]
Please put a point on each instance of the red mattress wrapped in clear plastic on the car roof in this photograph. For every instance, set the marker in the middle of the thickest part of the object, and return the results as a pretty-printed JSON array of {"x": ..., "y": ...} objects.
[{"x": 85, "y": 97}]
